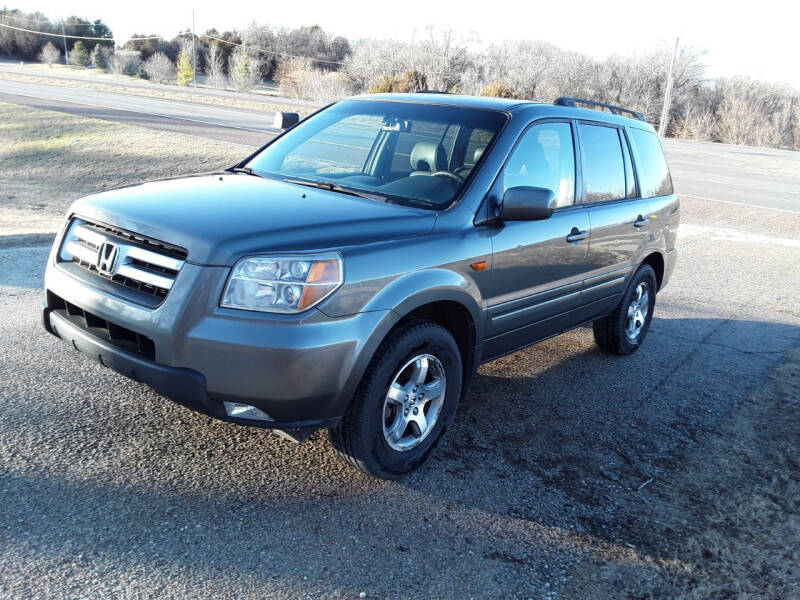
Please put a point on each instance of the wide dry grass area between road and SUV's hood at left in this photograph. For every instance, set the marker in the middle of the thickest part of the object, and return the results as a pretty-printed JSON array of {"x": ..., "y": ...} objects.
[{"x": 48, "y": 159}]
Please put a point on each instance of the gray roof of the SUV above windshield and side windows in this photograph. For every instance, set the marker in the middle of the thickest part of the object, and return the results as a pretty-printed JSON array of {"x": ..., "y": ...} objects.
[{"x": 508, "y": 105}]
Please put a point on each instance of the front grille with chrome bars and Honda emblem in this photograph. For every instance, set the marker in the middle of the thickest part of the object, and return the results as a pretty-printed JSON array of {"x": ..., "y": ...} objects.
[{"x": 148, "y": 267}]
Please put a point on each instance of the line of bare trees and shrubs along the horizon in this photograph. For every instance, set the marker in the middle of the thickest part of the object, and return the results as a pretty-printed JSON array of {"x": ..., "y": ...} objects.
[{"x": 310, "y": 63}]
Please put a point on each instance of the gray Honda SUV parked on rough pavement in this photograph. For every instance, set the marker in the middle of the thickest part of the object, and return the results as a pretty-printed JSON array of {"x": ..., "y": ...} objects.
[{"x": 354, "y": 272}]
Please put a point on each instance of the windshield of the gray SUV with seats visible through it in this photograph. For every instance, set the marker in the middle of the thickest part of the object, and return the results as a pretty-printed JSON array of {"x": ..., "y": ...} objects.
[{"x": 403, "y": 152}]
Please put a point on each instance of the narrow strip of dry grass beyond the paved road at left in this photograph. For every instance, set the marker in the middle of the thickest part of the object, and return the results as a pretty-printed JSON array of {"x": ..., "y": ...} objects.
[{"x": 116, "y": 83}]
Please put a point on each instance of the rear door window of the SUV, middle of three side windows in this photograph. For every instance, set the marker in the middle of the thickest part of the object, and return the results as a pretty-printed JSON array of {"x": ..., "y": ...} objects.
[{"x": 603, "y": 166}]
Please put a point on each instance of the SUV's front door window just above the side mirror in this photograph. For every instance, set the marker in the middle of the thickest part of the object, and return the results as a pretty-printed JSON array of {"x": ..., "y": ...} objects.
[{"x": 544, "y": 158}]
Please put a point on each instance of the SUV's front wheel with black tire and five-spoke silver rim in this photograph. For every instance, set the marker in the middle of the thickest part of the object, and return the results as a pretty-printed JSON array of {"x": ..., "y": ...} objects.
[{"x": 404, "y": 403}]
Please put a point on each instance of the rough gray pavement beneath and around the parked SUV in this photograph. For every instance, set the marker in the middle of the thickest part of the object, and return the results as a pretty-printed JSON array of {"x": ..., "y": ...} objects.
[{"x": 109, "y": 491}]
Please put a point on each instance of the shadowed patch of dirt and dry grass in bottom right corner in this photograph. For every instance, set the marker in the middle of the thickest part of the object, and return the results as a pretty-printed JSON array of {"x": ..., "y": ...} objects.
[{"x": 727, "y": 524}]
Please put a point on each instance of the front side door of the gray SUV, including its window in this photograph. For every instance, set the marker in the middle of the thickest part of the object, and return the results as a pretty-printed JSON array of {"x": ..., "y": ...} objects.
[{"x": 538, "y": 266}]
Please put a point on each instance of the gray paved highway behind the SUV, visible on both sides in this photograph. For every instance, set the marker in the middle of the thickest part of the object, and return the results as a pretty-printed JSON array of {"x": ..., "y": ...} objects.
[{"x": 760, "y": 177}]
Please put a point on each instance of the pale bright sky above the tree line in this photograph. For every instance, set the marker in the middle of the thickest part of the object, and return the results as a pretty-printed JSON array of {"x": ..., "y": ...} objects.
[{"x": 759, "y": 41}]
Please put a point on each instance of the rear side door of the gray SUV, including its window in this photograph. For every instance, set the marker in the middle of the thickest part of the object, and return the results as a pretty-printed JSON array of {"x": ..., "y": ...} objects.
[{"x": 617, "y": 213}]
